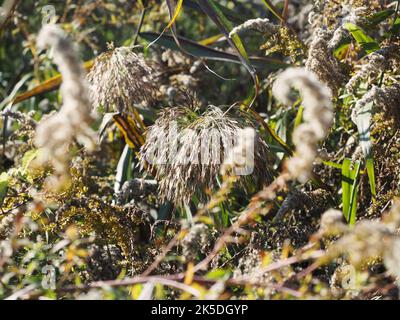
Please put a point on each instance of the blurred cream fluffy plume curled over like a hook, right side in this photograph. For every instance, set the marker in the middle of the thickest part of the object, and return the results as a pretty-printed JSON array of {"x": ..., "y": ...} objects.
[{"x": 318, "y": 116}]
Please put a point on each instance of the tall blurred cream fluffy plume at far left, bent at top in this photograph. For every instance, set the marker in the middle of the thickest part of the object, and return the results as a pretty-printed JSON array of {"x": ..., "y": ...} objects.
[{"x": 54, "y": 134}]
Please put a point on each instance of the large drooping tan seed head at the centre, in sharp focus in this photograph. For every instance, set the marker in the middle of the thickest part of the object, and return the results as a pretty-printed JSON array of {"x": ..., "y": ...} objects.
[{"x": 186, "y": 148}]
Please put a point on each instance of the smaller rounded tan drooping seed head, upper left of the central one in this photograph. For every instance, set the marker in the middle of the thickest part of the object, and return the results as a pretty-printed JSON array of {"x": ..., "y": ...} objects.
[{"x": 119, "y": 79}]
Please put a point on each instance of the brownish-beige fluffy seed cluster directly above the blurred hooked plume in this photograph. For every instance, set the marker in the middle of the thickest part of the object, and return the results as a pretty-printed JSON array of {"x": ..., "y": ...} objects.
[{"x": 322, "y": 63}]
